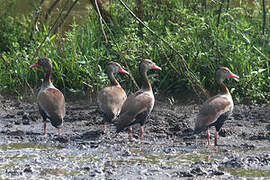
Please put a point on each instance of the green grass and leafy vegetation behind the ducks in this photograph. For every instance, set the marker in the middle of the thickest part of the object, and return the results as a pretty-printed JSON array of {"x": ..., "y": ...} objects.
[{"x": 80, "y": 54}]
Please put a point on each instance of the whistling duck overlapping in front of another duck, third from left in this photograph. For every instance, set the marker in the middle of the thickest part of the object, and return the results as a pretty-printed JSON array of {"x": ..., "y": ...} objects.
[{"x": 138, "y": 106}]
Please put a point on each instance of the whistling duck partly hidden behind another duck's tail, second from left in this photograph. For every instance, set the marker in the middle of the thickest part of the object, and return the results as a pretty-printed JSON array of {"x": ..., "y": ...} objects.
[{"x": 110, "y": 99}]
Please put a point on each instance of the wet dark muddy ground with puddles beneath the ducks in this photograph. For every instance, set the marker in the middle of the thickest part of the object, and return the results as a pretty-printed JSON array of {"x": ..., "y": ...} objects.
[{"x": 85, "y": 152}]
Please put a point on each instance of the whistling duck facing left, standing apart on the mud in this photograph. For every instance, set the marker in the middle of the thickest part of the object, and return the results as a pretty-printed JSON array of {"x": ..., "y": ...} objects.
[{"x": 51, "y": 101}]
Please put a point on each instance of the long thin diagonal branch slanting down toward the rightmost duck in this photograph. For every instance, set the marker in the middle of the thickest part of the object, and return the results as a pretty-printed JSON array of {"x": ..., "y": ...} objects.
[{"x": 189, "y": 74}]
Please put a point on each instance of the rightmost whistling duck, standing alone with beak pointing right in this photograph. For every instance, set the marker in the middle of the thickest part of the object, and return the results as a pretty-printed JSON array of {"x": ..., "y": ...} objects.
[{"x": 217, "y": 109}]
